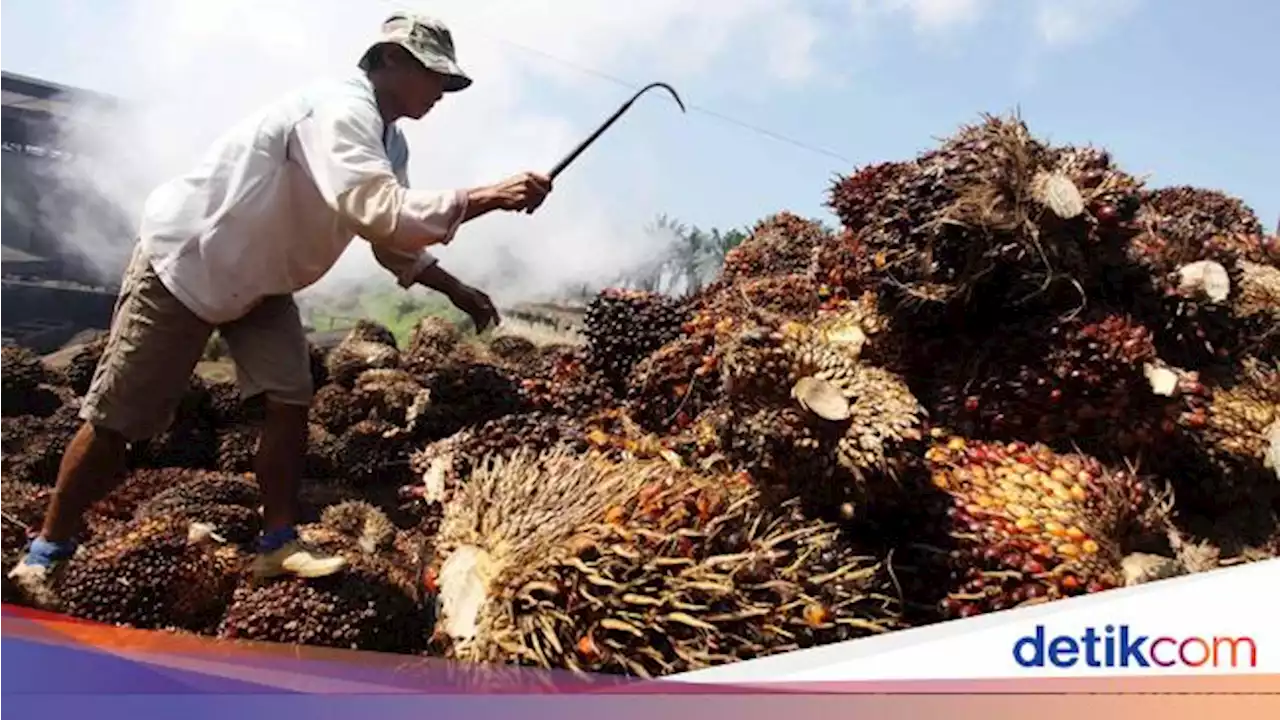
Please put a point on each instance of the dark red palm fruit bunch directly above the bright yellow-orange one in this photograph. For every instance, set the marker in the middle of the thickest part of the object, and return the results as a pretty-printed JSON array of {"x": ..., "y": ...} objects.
[{"x": 1081, "y": 381}]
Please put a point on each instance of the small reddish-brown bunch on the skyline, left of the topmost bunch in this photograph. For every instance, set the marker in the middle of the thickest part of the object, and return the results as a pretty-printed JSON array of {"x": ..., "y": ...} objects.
[{"x": 780, "y": 245}]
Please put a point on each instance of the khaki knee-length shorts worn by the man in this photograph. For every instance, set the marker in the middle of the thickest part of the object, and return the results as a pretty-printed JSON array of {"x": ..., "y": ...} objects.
[{"x": 156, "y": 344}]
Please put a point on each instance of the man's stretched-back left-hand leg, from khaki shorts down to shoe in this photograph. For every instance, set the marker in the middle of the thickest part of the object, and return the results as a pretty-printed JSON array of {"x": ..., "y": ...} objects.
[{"x": 153, "y": 347}]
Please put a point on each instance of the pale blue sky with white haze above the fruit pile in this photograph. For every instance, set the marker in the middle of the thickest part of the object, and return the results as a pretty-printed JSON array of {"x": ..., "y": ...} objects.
[{"x": 1176, "y": 89}]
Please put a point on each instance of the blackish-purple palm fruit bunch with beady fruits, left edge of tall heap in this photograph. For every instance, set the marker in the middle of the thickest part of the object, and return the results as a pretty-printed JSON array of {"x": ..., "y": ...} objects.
[{"x": 623, "y": 327}]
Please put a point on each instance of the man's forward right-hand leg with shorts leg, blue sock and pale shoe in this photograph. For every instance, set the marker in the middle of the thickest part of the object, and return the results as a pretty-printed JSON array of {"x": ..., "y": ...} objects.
[{"x": 272, "y": 359}]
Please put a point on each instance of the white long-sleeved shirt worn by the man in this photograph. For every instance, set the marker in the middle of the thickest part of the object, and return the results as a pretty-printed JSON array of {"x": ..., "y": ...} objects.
[{"x": 280, "y": 198}]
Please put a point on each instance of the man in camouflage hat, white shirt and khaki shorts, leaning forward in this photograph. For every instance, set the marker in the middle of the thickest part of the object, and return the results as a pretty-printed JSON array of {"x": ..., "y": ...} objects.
[{"x": 267, "y": 213}]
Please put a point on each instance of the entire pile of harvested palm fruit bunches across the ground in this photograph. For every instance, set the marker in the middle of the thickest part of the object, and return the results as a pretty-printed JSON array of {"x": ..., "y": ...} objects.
[{"x": 1013, "y": 375}]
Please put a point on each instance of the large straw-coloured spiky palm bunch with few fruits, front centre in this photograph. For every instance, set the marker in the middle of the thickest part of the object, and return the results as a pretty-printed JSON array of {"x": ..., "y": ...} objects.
[{"x": 642, "y": 569}]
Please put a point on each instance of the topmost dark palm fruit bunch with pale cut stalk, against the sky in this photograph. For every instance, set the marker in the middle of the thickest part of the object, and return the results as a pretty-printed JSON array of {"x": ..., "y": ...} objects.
[{"x": 990, "y": 213}]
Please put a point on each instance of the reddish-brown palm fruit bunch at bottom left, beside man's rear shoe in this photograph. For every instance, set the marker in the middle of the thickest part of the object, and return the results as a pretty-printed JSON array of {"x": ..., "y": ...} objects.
[{"x": 149, "y": 575}]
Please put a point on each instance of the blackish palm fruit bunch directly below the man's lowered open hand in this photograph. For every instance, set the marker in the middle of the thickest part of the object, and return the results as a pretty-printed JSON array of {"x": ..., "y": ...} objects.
[{"x": 467, "y": 395}]
